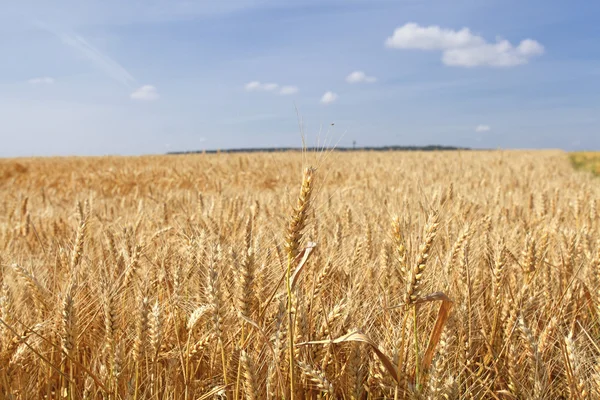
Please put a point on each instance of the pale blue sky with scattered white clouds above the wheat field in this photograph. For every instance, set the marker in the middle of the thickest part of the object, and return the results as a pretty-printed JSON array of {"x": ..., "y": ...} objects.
[{"x": 92, "y": 77}]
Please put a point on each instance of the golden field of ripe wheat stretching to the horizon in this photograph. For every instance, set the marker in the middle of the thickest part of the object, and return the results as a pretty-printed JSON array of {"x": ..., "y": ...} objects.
[{"x": 451, "y": 275}]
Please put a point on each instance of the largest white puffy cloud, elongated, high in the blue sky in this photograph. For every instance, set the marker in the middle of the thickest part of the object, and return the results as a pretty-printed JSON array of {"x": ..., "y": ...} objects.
[{"x": 462, "y": 48}]
